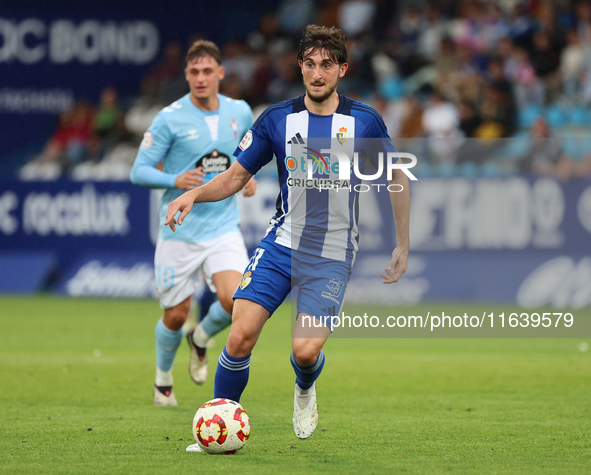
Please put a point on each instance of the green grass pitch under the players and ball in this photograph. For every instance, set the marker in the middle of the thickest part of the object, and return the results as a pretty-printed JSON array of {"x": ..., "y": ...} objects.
[{"x": 76, "y": 397}]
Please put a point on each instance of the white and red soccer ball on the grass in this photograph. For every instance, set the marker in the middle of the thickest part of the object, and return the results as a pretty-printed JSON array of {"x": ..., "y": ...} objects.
[{"x": 221, "y": 426}]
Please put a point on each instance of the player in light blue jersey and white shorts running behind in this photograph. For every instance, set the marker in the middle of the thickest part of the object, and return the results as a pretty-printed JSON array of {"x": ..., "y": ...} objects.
[{"x": 194, "y": 138}]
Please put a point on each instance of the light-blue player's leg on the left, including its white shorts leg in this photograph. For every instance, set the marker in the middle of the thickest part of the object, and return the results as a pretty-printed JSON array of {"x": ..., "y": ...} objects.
[{"x": 176, "y": 268}]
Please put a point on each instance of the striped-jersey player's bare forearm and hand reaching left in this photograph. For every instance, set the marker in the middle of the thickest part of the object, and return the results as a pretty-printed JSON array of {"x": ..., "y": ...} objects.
[{"x": 219, "y": 188}]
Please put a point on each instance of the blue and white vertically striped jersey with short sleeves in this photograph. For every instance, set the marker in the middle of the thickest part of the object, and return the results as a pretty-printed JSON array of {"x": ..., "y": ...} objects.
[{"x": 321, "y": 222}]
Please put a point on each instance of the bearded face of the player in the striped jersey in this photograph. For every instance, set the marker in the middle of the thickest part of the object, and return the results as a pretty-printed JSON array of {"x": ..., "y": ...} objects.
[{"x": 321, "y": 75}]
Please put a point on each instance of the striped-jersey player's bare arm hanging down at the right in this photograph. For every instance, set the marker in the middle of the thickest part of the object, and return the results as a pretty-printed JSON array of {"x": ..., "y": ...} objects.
[{"x": 401, "y": 208}]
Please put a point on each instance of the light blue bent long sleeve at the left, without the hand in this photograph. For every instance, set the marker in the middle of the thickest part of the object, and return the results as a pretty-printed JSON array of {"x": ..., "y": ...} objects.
[{"x": 153, "y": 149}]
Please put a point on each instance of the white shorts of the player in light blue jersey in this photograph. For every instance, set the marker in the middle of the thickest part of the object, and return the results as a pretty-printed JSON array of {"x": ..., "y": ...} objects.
[{"x": 178, "y": 265}]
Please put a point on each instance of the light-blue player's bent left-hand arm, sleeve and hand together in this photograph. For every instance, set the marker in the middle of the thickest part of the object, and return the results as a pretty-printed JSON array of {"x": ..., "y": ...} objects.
[{"x": 153, "y": 149}]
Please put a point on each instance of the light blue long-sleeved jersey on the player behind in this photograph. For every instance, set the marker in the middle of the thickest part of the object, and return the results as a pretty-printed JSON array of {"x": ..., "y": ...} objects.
[{"x": 184, "y": 137}]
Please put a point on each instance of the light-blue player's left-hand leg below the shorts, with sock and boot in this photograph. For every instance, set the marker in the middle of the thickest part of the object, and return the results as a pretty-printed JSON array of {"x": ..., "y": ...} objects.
[{"x": 168, "y": 339}]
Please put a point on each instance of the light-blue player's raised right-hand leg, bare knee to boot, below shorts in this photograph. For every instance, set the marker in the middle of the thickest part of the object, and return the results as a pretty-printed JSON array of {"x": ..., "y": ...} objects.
[{"x": 218, "y": 317}]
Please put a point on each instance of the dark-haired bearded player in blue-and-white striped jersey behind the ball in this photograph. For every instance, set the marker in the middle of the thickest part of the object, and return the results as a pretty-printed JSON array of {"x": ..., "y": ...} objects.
[{"x": 312, "y": 239}]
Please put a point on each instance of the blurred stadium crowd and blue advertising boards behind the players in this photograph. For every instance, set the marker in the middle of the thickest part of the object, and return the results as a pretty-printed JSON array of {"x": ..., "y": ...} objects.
[{"x": 494, "y": 98}]
